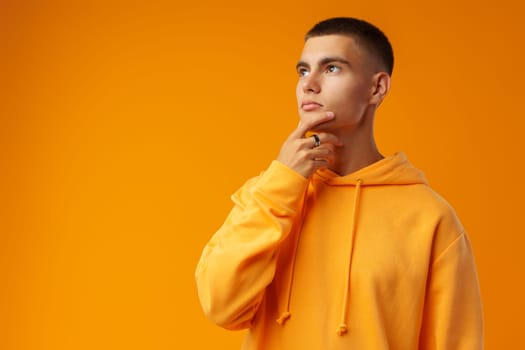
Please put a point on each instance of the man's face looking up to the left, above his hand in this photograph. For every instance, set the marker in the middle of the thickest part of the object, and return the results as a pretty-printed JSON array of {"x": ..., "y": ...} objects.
[{"x": 335, "y": 75}]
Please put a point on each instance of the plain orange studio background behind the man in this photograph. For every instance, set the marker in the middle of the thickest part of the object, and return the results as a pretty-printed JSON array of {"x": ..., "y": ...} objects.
[{"x": 125, "y": 126}]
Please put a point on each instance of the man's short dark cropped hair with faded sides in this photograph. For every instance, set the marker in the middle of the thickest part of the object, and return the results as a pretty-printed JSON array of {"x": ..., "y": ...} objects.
[{"x": 365, "y": 34}]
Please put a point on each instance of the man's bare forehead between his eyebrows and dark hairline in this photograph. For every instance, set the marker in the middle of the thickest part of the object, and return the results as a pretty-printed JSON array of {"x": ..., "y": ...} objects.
[{"x": 343, "y": 46}]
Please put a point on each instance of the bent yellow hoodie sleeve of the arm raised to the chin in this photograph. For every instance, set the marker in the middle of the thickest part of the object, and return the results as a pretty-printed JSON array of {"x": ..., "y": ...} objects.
[{"x": 239, "y": 261}]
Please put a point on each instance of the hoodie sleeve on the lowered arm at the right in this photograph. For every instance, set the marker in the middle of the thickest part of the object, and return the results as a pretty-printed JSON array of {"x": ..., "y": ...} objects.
[{"x": 452, "y": 317}]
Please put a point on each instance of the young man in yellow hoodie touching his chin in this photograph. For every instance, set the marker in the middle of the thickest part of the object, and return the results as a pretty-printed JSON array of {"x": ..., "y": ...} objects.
[{"x": 335, "y": 246}]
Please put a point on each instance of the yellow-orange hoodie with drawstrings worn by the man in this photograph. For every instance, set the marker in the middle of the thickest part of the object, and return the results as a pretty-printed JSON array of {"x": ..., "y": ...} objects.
[{"x": 371, "y": 260}]
